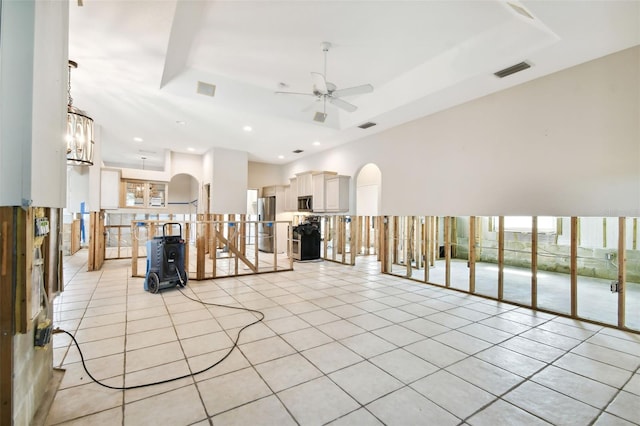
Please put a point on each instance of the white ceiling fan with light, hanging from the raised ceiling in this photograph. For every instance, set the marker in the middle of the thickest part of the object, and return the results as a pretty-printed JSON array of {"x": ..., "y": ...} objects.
[{"x": 325, "y": 91}]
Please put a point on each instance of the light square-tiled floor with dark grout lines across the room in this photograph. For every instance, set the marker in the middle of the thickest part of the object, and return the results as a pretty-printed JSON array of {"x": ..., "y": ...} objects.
[{"x": 339, "y": 345}]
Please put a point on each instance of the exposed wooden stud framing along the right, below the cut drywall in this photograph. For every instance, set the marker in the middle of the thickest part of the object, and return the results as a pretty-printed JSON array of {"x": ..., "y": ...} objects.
[{"x": 583, "y": 267}]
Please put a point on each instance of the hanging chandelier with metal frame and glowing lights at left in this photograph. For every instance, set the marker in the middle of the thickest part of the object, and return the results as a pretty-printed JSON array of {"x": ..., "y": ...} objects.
[{"x": 79, "y": 132}]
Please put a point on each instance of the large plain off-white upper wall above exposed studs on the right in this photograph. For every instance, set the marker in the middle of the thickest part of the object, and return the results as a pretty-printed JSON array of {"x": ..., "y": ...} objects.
[{"x": 565, "y": 144}]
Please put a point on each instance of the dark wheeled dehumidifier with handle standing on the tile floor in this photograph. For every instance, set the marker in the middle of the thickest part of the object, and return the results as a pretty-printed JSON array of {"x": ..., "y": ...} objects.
[{"x": 165, "y": 260}]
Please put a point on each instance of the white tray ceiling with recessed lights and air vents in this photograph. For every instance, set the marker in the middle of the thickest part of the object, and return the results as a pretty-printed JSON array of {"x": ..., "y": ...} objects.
[{"x": 140, "y": 63}]
